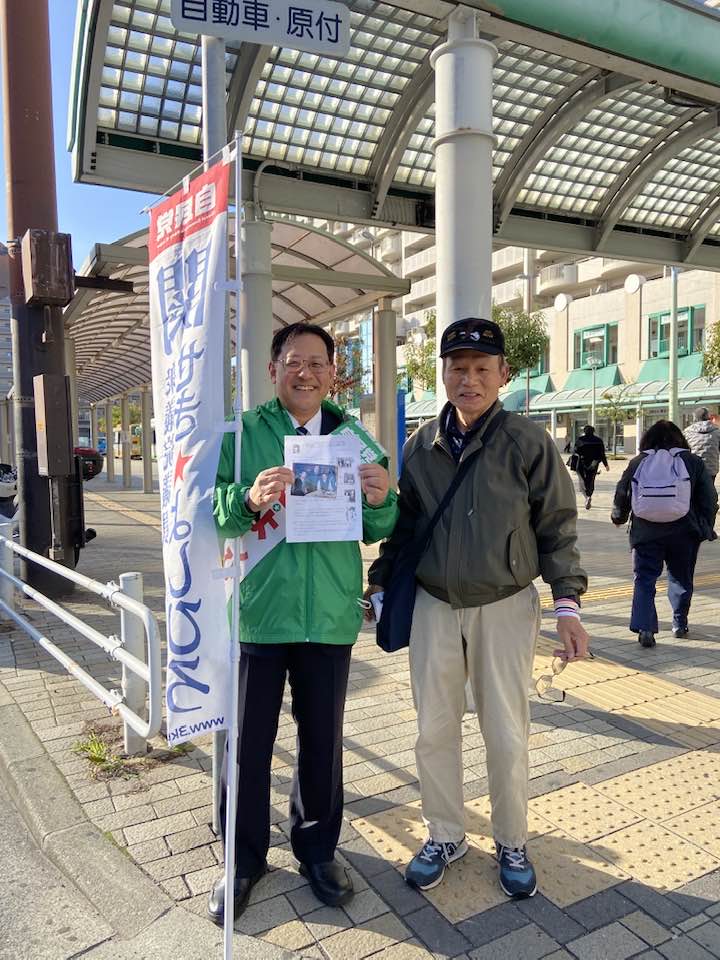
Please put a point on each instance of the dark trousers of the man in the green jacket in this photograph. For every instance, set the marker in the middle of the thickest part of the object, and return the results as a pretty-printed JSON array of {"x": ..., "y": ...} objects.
[{"x": 318, "y": 675}]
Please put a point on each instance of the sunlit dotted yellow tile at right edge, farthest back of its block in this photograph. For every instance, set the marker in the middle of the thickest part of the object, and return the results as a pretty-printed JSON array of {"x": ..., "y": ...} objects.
[{"x": 668, "y": 788}]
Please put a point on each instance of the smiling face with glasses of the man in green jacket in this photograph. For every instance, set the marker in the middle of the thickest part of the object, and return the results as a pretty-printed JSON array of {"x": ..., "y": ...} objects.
[{"x": 302, "y": 375}]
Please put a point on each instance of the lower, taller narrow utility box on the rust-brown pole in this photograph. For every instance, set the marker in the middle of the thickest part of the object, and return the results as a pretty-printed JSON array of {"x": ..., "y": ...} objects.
[{"x": 52, "y": 423}]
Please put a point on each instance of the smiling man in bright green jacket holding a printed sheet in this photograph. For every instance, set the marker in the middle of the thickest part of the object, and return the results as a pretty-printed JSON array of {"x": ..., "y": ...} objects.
[{"x": 300, "y": 614}]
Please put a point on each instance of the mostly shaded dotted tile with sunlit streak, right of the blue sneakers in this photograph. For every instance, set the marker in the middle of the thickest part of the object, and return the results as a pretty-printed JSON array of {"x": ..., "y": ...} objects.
[{"x": 569, "y": 871}]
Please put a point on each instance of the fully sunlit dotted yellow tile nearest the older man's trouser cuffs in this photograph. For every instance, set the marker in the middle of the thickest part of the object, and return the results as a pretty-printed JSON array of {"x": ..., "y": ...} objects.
[{"x": 583, "y": 812}]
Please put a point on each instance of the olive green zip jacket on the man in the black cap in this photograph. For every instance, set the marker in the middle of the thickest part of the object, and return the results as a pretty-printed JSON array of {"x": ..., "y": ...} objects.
[{"x": 512, "y": 518}]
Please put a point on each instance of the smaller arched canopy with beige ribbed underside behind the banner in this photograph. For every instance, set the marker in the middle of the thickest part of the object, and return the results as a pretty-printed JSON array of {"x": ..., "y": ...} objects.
[{"x": 316, "y": 277}]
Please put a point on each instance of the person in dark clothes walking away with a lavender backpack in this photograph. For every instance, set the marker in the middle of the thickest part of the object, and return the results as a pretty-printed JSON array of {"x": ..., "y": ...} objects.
[{"x": 674, "y": 544}]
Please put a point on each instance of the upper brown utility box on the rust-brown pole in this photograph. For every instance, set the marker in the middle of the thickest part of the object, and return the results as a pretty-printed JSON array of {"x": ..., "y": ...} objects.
[{"x": 48, "y": 274}]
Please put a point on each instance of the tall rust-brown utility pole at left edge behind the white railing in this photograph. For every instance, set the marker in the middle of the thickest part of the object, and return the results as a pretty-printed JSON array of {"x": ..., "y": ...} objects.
[{"x": 37, "y": 332}]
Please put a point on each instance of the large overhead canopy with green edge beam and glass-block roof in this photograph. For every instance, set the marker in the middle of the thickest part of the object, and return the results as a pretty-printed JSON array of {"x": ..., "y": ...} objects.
[{"x": 584, "y": 119}]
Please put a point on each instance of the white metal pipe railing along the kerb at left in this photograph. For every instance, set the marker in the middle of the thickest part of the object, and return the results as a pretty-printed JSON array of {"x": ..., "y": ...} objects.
[{"x": 113, "y": 645}]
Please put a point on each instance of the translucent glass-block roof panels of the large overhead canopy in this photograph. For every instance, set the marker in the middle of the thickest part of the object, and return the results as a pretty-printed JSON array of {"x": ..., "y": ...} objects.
[{"x": 603, "y": 148}]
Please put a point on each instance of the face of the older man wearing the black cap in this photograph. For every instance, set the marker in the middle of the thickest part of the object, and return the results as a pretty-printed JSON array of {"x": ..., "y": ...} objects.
[{"x": 472, "y": 382}]
